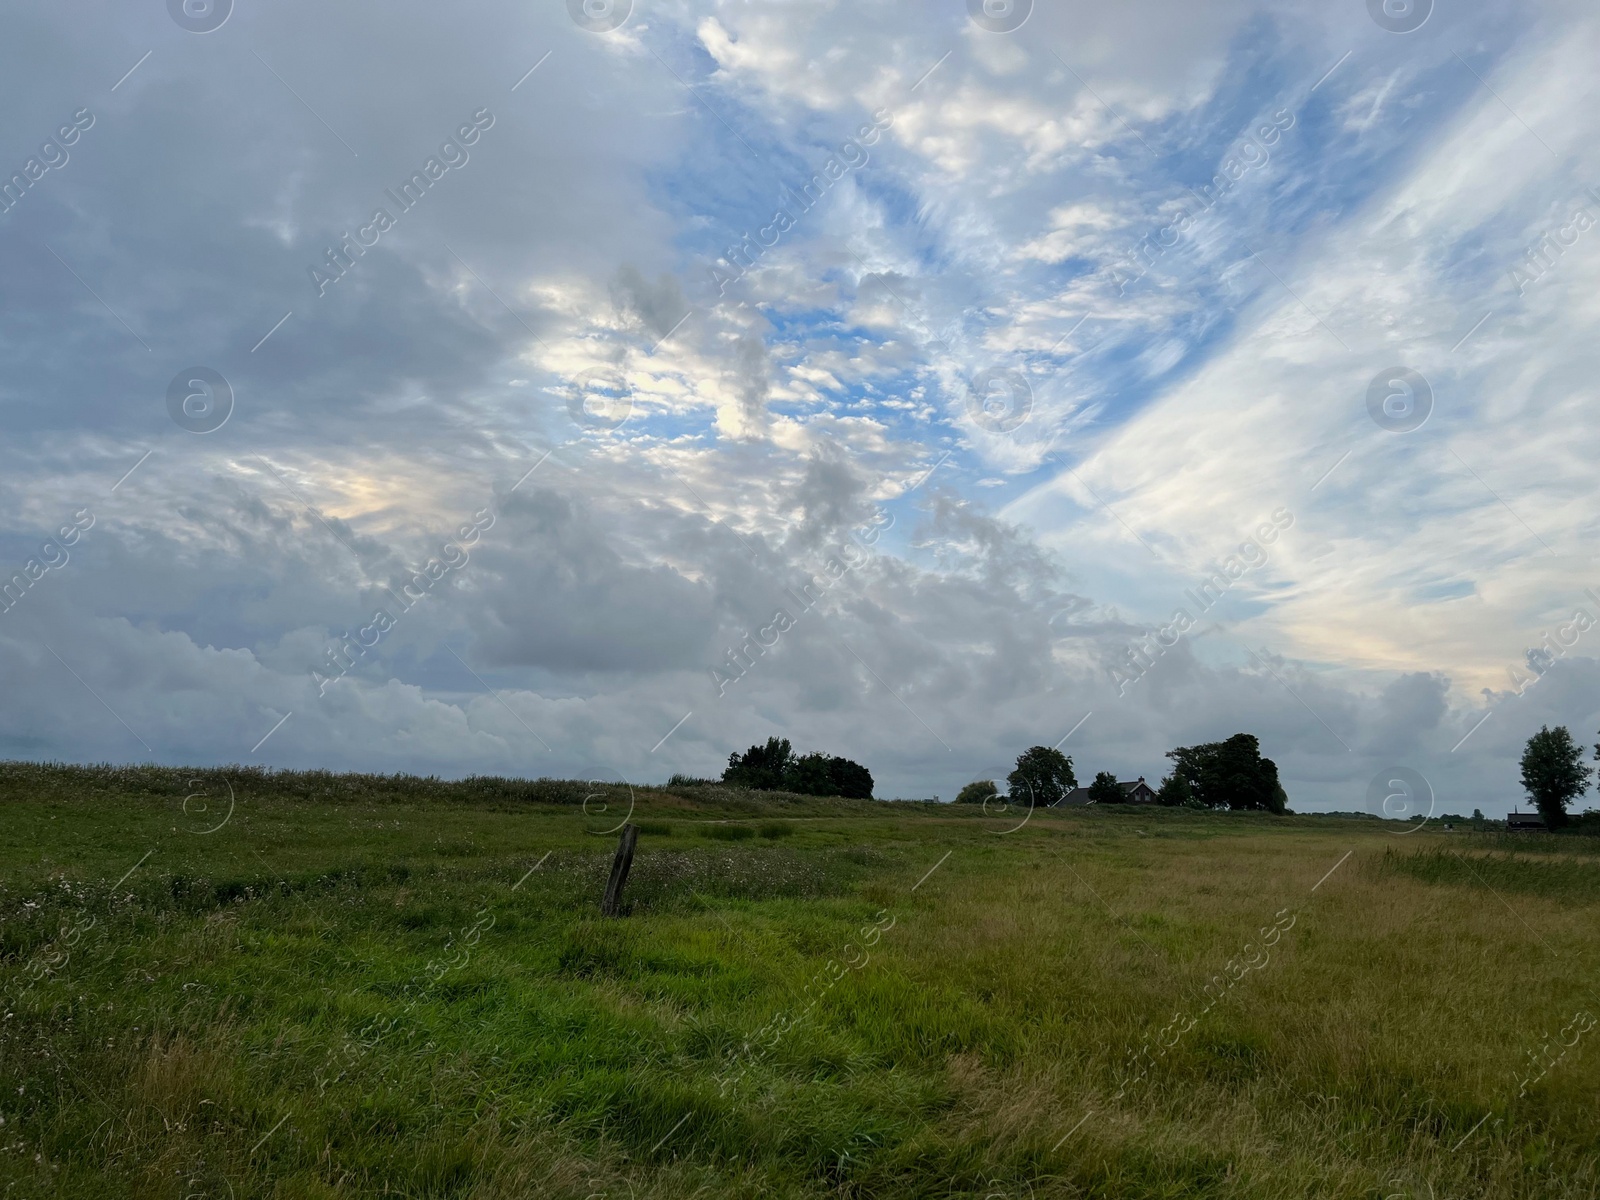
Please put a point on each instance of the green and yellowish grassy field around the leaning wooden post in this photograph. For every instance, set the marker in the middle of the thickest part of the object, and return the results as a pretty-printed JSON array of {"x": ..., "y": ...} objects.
[{"x": 351, "y": 986}]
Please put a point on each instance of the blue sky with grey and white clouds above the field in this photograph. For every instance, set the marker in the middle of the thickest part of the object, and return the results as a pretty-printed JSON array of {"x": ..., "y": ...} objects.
[{"x": 594, "y": 390}]
